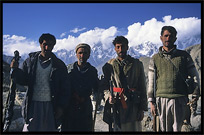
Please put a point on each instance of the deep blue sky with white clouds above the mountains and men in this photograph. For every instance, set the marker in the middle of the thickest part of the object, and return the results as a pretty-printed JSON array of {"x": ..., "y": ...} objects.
[{"x": 70, "y": 22}]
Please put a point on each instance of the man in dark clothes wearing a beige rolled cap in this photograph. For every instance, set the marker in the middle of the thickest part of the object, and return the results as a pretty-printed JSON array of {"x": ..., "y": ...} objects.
[{"x": 84, "y": 81}]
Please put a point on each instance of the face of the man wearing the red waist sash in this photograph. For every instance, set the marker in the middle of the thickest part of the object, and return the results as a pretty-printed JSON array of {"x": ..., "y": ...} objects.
[{"x": 121, "y": 50}]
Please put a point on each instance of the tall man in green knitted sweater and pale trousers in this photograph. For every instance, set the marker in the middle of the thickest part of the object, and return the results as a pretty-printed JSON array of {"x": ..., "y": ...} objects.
[{"x": 170, "y": 67}]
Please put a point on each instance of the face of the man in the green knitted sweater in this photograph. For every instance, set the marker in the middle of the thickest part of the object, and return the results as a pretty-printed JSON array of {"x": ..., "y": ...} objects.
[{"x": 168, "y": 39}]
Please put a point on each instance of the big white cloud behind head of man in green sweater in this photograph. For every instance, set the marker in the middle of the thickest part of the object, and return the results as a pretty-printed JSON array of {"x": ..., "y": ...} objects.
[{"x": 150, "y": 31}]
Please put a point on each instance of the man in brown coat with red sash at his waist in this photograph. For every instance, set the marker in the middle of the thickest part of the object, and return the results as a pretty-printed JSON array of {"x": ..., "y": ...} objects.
[{"x": 127, "y": 75}]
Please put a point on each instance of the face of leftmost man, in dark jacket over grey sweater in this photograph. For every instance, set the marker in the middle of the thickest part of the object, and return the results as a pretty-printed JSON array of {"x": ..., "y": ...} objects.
[{"x": 46, "y": 48}]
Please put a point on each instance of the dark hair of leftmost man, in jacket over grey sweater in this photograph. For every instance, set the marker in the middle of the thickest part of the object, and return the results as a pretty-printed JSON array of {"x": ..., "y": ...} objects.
[{"x": 47, "y": 37}]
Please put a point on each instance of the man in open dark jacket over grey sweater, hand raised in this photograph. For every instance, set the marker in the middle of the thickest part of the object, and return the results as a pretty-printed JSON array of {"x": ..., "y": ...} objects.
[{"x": 48, "y": 87}]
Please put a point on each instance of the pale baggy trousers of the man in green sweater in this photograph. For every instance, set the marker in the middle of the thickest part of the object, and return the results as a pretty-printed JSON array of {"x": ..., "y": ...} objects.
[{"x": 171, "y": 113}]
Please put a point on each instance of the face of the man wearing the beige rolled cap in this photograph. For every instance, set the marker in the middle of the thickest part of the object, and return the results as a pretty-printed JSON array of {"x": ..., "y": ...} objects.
[{"x": 82, "y": 55}]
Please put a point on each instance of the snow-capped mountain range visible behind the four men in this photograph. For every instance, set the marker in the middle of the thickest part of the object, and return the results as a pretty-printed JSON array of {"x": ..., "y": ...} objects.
[{"x": 100, "y": 56}]
